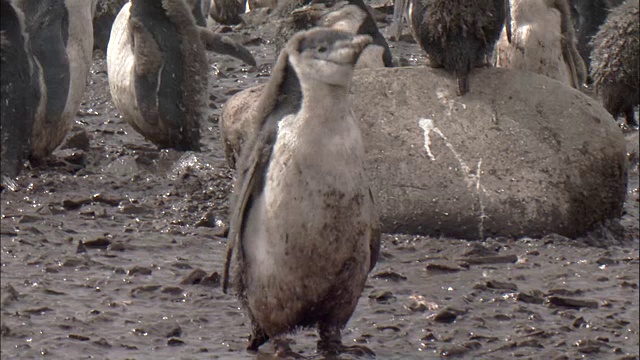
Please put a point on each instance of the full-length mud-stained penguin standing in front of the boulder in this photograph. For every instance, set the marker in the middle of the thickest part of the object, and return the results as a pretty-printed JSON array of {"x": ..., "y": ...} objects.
[{"x": 304, "y": 233}]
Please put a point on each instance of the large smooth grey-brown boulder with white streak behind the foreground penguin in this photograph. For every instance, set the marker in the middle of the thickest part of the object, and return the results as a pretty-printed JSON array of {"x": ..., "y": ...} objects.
[{"x": 520, "y": 155}]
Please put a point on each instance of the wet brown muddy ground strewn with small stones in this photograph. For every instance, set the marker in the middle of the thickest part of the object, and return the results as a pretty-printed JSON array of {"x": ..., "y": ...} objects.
[{"x": 113, "y": 250}]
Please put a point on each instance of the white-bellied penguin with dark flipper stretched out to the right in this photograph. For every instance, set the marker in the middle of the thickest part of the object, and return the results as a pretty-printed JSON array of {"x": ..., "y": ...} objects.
[{"x": 158, "y": 70}]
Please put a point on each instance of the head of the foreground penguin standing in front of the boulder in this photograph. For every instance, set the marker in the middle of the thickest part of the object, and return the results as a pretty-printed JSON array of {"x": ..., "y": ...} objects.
[{"x": 326, "y": 55}]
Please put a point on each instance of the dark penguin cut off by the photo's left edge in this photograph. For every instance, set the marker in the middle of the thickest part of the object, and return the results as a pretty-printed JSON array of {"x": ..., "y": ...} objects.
[{"x": 20, "y": 89}]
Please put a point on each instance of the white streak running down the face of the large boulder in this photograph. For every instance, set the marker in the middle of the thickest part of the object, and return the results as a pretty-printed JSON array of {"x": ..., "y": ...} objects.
[{"x": 471, "y": 178}]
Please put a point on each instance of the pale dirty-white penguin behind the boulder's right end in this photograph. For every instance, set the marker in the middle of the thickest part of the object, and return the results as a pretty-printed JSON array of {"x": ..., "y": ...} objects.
[{"x": 543, "y": 41}]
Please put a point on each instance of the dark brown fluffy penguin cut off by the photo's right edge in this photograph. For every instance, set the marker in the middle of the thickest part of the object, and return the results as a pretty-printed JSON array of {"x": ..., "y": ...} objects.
[{"x": 615, "y": 61}]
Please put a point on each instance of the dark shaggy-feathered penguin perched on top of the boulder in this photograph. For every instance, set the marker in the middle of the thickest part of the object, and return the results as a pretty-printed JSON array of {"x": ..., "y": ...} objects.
[{"x": 456, "y": 34}]
